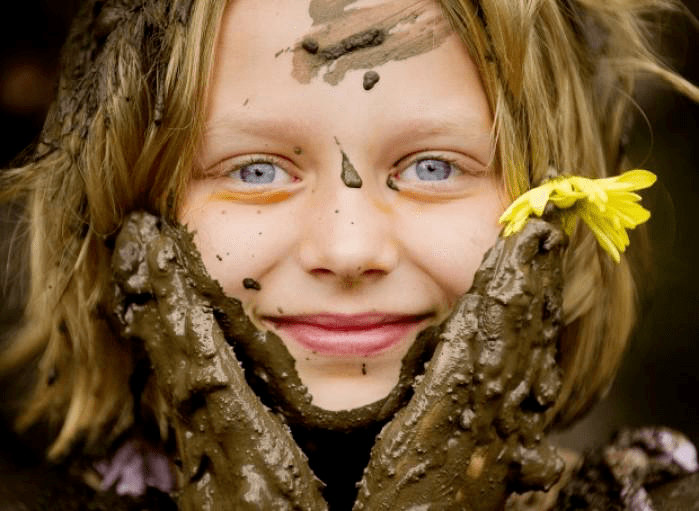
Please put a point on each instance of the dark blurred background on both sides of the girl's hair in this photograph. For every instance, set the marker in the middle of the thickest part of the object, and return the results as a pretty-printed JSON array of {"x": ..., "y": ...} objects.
[{"x": 659, "y": 381}]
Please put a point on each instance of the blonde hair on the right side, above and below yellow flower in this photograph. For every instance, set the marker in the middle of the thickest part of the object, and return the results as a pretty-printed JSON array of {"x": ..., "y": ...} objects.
[{"x": 560, "y": 77}]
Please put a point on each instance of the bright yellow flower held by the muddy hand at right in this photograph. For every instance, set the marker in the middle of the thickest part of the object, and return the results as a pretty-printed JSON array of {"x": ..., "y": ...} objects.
[{"x": 608, "y": 206}]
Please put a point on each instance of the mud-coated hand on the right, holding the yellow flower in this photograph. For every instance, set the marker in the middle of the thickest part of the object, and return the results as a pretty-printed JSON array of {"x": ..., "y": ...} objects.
[{"x": 472, "y": 431}]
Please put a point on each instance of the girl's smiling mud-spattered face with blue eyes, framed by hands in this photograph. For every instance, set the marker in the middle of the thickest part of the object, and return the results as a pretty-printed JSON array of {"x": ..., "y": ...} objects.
[{"x": 347, "y": 275}]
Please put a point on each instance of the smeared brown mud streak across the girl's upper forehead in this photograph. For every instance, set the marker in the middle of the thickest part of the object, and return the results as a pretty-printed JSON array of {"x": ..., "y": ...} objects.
[{"x": 403, "y": 29}]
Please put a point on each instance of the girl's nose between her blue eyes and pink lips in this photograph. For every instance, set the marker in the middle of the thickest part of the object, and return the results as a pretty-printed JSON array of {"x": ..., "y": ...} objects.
[{"x": 348, "y": 236}]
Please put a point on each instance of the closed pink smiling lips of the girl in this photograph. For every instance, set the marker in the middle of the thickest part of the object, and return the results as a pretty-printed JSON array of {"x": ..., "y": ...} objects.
[{"x": 349, "y": 335}]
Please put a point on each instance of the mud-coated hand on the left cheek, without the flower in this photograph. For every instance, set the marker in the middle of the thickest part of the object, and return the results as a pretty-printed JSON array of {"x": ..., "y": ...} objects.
[{"x": 232, "y": 452}]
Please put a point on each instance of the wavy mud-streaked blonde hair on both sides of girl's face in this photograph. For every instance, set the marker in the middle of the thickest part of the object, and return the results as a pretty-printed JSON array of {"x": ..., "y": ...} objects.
[{"x": 559, "y": 75}]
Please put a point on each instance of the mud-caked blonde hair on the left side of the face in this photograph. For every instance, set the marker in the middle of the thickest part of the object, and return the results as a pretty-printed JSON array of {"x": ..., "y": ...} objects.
[{"x": 119, "y": 137}]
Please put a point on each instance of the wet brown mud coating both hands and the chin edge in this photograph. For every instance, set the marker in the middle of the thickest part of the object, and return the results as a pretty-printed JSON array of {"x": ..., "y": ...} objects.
[{"x": 462, "y": 435}]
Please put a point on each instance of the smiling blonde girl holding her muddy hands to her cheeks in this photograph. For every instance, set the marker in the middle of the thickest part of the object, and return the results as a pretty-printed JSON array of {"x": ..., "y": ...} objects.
[{"x": 342, "y": 167}]
